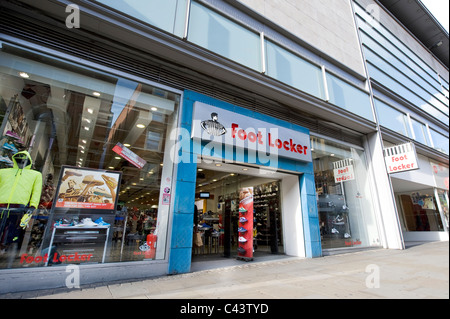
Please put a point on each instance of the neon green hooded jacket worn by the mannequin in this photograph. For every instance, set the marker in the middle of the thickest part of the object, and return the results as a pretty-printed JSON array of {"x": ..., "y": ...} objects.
[{"x": 20, "y": 185}]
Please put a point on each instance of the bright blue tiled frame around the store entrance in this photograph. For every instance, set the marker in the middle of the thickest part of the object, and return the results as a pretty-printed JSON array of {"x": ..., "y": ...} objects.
[{"x": 186, "y": 174}]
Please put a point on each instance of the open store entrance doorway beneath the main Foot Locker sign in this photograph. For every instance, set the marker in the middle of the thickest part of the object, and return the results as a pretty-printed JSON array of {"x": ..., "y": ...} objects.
[{"x": 217, "y": 203}]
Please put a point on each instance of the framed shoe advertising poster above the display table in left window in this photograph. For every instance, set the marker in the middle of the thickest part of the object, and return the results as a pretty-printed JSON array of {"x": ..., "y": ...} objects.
[{"x": 87, "y": 189}]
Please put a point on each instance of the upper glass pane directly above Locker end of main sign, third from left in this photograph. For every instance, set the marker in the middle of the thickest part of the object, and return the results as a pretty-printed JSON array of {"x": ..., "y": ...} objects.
[{"x": 292, "y": 70}]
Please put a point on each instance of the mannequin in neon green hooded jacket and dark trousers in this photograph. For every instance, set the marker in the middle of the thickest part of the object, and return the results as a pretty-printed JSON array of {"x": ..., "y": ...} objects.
[{"x": 20, "y": 192}]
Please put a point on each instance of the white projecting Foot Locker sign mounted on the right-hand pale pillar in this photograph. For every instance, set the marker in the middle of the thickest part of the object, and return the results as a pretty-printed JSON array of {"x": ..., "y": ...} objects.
[{"x": 401, "y": 158}]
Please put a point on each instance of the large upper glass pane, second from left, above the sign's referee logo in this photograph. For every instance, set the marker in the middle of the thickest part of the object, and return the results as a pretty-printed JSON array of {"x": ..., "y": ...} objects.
[{"x": 214, "y": 32}]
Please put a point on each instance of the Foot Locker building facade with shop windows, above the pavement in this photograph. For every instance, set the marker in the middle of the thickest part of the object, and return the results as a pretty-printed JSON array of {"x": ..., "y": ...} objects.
[{"x": 152, "y": 125}]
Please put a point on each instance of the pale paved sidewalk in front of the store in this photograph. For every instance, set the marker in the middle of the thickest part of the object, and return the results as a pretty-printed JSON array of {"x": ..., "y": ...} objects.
[{"x": 421, "y": 271}]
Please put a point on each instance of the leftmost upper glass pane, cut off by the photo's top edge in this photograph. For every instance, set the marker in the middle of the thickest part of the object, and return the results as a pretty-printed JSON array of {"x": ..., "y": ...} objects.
[{"x": 166, "y": 15}]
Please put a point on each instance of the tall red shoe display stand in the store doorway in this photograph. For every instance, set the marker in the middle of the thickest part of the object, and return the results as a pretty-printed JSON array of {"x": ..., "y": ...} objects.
[{"x": 245, "y": 249}]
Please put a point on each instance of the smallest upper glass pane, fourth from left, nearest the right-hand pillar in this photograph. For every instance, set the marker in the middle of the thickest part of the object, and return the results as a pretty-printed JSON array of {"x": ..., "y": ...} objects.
[{"x": 349, "y": 97}]
